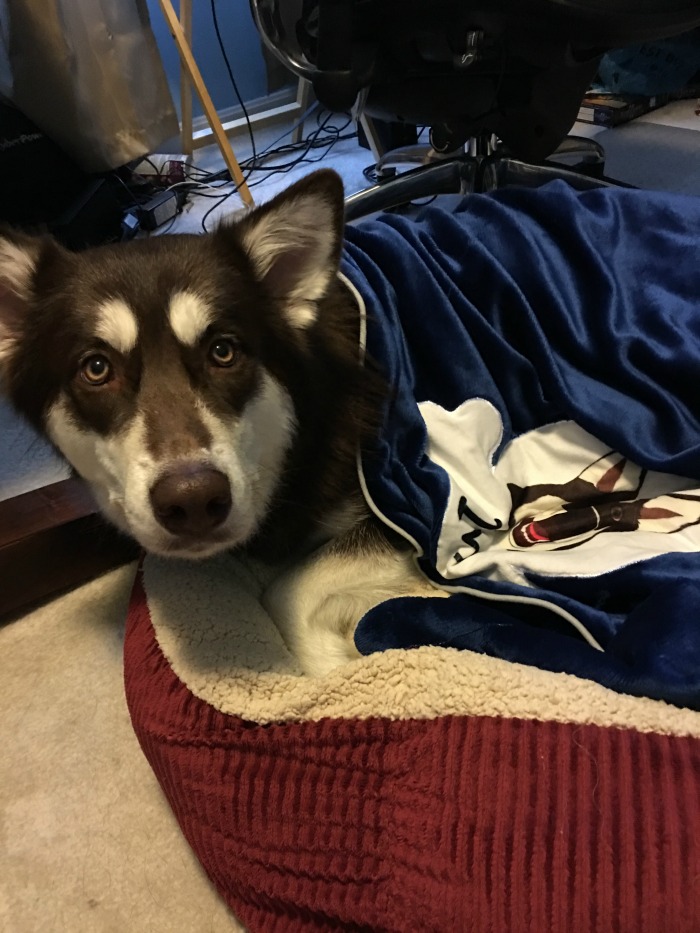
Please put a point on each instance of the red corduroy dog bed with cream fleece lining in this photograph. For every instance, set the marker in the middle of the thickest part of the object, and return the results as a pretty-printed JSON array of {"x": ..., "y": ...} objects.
[{"x": 426, "y": 789}]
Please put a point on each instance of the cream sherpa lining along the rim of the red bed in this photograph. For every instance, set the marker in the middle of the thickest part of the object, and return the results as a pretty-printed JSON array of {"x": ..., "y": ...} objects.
[{"x": 223, "y": 646}]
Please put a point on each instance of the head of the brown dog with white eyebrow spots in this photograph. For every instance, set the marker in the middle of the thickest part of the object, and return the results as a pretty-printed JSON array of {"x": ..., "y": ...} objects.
[{"x": 163, "y": 369}]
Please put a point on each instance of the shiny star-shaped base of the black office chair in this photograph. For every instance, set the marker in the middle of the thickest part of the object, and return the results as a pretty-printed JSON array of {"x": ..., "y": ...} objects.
[{"x": 580, "y": 162}]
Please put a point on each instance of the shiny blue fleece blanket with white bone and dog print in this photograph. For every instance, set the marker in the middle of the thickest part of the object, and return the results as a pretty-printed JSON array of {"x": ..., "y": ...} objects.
[{"x": 541, "y": 443}]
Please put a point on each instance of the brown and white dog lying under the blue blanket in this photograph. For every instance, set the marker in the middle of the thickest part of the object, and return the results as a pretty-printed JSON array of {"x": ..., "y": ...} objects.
[{"x": 211, "y": 392}]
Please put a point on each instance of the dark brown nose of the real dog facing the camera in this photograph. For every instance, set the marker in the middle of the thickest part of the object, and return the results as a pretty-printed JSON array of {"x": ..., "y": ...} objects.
[{"x": 191, "y": 500}]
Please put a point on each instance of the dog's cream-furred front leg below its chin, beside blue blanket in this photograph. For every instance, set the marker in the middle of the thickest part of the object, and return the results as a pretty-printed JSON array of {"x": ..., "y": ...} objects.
[{"x": 318, "y": 603}]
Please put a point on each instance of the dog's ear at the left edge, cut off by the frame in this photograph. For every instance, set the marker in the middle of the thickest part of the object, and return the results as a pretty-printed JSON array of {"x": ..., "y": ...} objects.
[{"x": 19, "y": 255}]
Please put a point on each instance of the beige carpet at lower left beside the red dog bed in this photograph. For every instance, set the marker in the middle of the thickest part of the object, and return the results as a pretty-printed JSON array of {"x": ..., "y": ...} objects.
[{"x": 87, "y": 842}]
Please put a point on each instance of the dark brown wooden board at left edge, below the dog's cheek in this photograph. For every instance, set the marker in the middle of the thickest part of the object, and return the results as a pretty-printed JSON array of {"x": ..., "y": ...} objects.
[{"x": 52, "y": 539}]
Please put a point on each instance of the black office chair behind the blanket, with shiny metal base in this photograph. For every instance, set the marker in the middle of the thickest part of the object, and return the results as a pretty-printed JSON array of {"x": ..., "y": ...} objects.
[{"x": 499, "y": 82}]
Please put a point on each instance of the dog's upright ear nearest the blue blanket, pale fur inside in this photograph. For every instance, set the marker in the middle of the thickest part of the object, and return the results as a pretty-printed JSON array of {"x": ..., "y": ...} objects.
[{"x": 294, "y": 243}]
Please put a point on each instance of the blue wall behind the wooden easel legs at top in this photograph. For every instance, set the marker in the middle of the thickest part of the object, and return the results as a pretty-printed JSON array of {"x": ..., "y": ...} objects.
[{"x": 242, "y": 44}]
